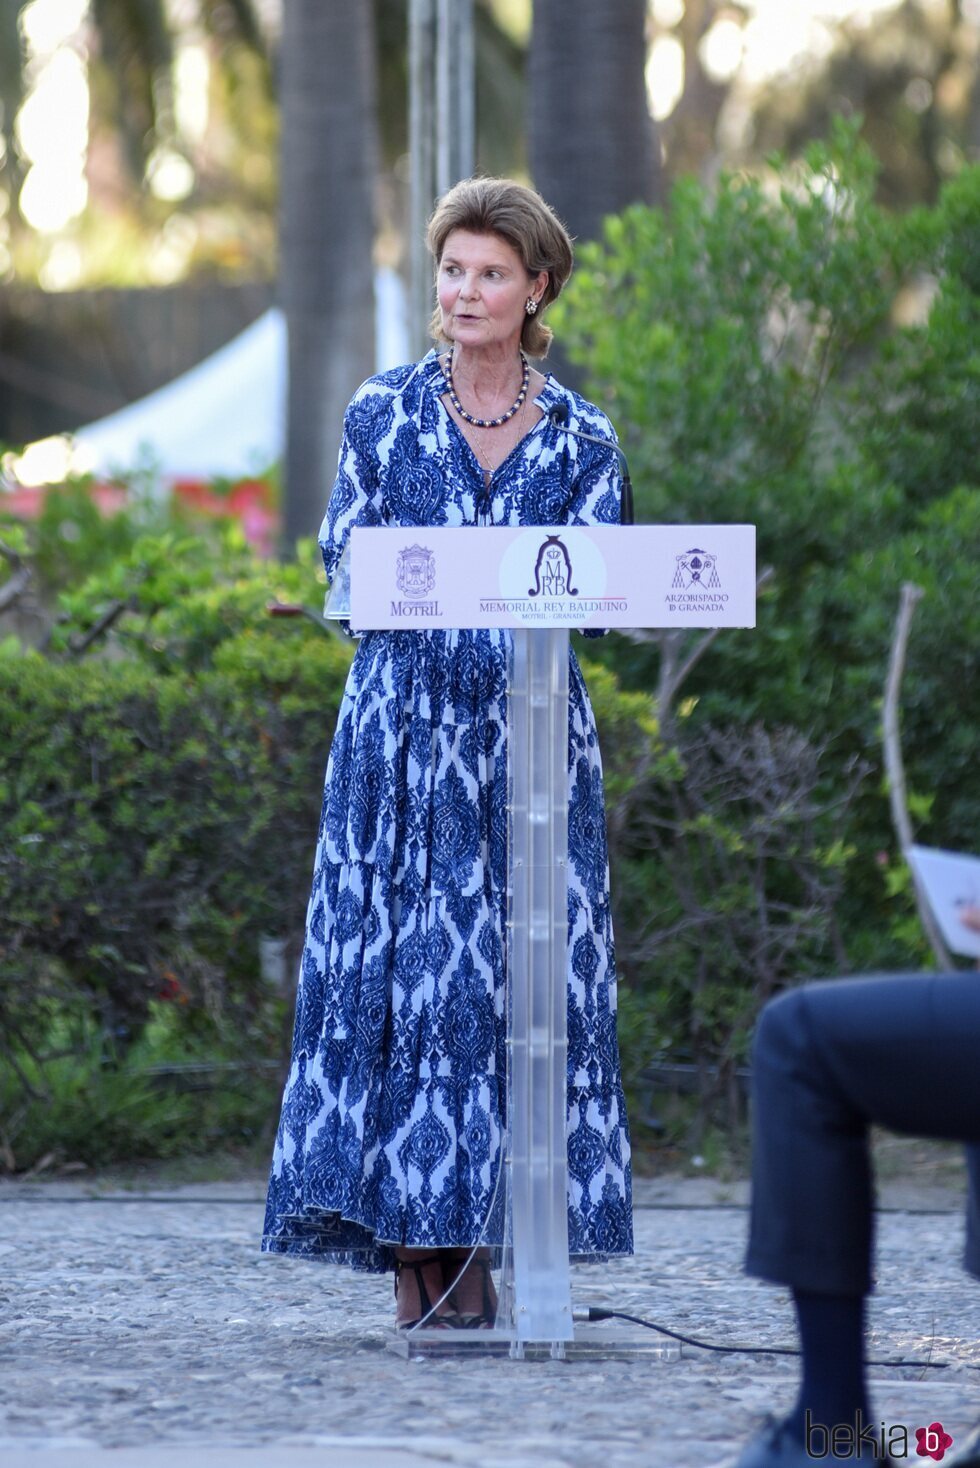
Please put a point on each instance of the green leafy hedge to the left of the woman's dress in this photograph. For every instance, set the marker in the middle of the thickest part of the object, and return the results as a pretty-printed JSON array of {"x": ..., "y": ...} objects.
[{"x": 161, "y": 785}]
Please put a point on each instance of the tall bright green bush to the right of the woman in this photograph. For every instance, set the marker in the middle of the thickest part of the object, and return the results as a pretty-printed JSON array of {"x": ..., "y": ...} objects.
[{"x": 749, "y": 343}]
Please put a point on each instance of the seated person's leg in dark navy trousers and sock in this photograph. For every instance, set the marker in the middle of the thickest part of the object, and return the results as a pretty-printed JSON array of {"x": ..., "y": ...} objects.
[{"x": 830, "y": 1061}]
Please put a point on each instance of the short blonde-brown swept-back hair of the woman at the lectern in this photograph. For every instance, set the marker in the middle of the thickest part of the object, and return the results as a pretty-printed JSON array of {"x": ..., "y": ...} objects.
[{"x": 519, "y": 215}]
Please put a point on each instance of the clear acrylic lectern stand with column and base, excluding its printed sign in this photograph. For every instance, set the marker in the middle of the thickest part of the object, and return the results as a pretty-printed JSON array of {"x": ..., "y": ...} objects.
[{"x": 530, "y": 1222}]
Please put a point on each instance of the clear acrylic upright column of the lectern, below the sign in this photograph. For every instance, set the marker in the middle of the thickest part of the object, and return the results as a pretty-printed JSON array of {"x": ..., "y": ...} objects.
[{"x": 536, "y": 1298}]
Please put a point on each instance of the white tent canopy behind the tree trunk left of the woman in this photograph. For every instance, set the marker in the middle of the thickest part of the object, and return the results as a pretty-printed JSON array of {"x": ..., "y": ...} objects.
[{"x": 227, "y": 416}]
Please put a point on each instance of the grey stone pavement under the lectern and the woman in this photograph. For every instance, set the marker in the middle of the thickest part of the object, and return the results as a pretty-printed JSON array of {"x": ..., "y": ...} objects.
[{"x": 143, "y": 1331}]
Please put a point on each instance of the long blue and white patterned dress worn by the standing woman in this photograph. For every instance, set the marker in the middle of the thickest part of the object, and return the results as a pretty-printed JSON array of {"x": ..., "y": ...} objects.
[{"x": 394, "y": 1109}]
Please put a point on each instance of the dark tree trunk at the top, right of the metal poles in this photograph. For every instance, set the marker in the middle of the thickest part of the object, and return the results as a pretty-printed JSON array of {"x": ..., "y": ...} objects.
[{"x": 592, "y": 140}]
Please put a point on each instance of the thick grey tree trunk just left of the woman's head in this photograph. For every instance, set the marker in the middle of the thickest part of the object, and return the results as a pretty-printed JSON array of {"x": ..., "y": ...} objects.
[{"x": 326, "y": 239}]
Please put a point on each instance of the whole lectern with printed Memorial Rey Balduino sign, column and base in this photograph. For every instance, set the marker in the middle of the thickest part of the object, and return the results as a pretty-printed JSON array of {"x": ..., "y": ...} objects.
[{"x": 542, "y": 582}]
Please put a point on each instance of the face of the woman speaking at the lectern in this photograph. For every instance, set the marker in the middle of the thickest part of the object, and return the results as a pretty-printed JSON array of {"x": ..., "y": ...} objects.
[{"x": 482, "y": 291}]
